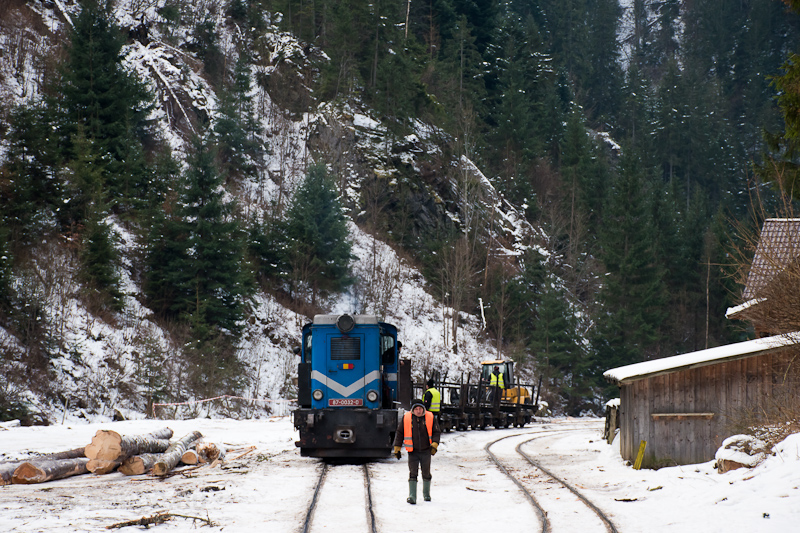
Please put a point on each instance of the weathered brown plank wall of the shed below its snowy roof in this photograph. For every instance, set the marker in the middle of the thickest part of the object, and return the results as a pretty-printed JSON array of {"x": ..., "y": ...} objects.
[{"x": 724, "y": 389}]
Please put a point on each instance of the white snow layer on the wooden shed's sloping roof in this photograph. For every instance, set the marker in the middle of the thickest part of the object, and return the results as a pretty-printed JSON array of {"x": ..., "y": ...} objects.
[{"x": 701, "y": 358}]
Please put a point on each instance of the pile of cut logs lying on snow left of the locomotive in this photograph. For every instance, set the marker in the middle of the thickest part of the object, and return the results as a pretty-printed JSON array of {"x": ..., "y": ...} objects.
[{"x": 109, "y": 451}]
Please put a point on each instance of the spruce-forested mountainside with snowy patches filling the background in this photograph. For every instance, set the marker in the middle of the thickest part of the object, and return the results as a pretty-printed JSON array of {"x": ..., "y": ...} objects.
[{"x": 149, "y": 161}]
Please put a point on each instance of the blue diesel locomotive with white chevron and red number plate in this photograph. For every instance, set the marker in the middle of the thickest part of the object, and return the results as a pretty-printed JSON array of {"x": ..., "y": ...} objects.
[{"x": 348, "y": 387}]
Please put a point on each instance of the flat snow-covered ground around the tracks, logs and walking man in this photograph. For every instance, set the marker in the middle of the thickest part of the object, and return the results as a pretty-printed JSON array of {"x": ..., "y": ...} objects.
[{"x": 269, "y": 488}]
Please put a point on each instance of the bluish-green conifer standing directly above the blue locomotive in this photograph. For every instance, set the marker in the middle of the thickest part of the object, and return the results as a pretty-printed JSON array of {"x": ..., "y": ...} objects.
[{"x": 316, "y": 228}]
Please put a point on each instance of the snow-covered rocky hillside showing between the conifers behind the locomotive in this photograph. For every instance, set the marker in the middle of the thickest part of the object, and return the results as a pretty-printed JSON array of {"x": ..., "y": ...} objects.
[{"x": 105, "y": 361}]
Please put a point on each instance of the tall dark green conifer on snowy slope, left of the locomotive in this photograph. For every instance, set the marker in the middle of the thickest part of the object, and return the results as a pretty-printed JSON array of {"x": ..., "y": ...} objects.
[{"x": 197, "y": 271}]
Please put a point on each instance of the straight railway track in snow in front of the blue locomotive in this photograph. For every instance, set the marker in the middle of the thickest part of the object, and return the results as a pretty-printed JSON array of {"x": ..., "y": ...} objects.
[{"x": 341, "y": 478}]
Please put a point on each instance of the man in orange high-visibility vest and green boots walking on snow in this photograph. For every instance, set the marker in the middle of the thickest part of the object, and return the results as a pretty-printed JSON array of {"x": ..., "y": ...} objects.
[{"x": 419, "y": 433}]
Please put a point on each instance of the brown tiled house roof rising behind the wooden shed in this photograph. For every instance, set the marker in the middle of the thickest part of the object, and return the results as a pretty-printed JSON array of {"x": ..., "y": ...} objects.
[{"x": 778, "y": 245}]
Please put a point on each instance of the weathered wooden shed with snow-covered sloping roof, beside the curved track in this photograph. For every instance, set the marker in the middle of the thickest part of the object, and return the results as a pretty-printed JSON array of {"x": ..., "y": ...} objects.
[{"x": 684, "y": 406}]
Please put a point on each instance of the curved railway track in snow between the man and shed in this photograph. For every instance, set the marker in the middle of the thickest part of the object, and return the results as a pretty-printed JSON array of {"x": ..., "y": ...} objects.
[{"x": 560, "y": 506}]
